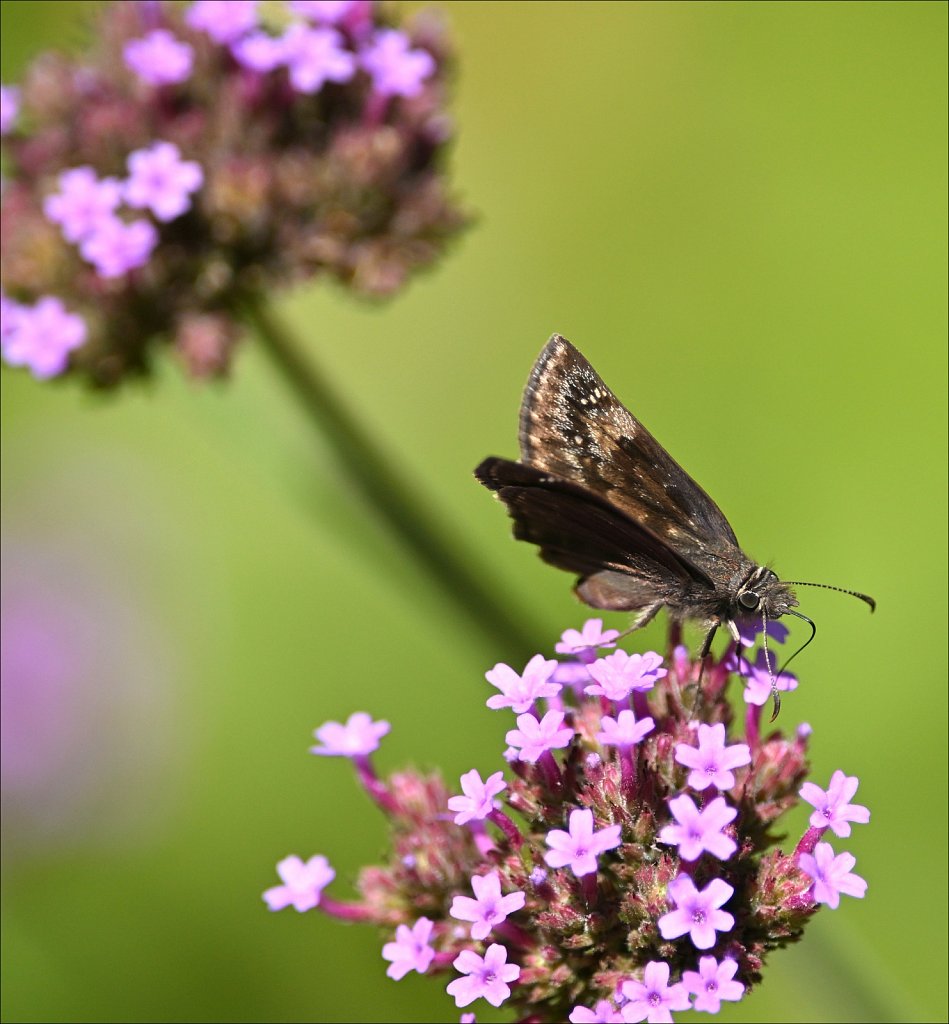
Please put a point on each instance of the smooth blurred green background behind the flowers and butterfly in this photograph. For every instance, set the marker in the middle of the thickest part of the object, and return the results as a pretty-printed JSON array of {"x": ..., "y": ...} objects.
[{"x": 738, "y": 211}]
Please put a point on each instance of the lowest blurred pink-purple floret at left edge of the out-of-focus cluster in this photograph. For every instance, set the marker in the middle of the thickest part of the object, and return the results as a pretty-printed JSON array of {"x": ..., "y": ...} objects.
[{"x": 40, "y": 337}]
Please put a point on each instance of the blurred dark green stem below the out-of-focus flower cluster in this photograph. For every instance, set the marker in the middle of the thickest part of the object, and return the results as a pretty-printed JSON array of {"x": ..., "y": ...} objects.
[{"x": 395, "y": 499}]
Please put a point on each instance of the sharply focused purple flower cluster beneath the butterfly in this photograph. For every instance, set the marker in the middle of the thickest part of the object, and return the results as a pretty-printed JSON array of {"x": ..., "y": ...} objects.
[{"x": 626, "y": 871}]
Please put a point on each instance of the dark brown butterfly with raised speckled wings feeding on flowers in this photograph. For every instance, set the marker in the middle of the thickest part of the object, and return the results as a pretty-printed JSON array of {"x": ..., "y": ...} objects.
[{"x": 601, "y": 498}]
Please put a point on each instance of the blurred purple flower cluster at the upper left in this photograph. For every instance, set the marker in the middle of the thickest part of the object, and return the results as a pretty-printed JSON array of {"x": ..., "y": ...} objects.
[{"x": 205, "y": 154}]
